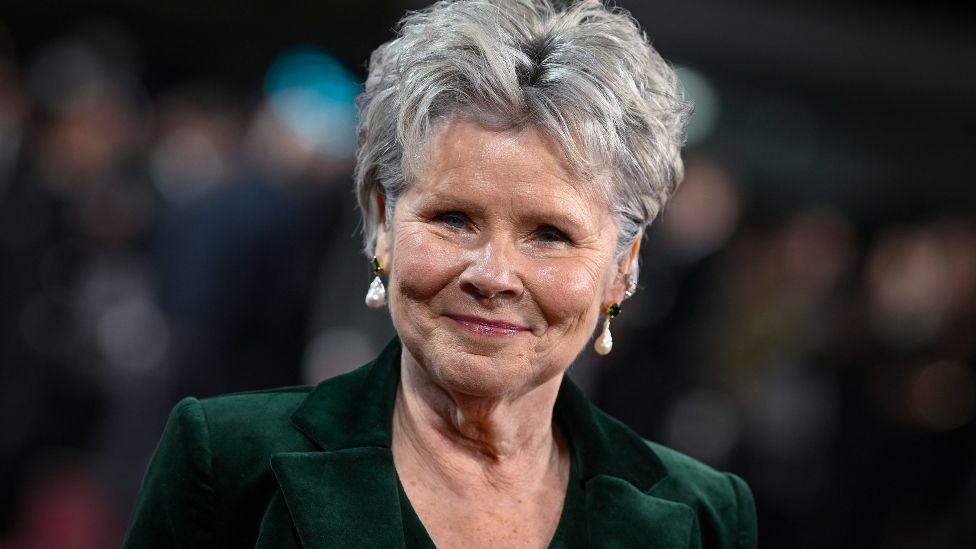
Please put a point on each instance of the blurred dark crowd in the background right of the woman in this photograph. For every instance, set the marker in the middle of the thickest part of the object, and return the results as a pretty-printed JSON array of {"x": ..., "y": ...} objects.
[{"x": 829, "y": 361}]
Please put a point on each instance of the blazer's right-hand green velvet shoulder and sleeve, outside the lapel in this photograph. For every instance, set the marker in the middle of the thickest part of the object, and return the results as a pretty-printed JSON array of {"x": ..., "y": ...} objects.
[{"x": 722, "y": 501}]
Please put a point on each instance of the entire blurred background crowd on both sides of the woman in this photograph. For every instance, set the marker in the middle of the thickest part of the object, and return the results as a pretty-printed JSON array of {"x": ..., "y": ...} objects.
[{"x": 200, "y": 240}]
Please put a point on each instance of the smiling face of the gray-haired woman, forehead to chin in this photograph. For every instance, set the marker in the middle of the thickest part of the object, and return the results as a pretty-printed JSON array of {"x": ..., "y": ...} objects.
[{"x": 499, "y": 261}]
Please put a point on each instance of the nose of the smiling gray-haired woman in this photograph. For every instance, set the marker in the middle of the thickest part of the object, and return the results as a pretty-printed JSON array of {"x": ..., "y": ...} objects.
[{"x": 491, "y": 273}]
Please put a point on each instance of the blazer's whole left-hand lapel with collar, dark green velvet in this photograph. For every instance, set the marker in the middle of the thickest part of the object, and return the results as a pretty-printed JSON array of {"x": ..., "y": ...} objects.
[{"x": 346, "y": 493}]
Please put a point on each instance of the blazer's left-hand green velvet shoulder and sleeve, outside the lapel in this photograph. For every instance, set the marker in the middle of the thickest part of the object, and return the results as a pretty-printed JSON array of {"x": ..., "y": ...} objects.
[{"x": 209, "y": 478}]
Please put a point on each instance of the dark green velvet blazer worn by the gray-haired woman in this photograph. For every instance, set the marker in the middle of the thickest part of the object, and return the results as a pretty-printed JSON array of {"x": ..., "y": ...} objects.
[{"x": 312, "y": 467}]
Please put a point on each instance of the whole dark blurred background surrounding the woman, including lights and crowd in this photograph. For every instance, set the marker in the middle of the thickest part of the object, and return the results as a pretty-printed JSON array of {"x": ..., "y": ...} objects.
[{"x": 176, "y": 218}]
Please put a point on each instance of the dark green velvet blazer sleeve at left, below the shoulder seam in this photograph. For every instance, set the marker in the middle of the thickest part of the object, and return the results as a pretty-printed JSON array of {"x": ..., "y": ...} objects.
[{"x": 176, "y": 505}]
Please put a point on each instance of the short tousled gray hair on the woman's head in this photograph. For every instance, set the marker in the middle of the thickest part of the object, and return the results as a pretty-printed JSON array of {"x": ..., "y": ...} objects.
[{"x": 584, "y": 74}]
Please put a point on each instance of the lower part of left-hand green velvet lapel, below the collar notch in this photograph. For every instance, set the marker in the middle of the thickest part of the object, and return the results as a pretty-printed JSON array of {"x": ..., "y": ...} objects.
[{"x": 346, "y": 498}]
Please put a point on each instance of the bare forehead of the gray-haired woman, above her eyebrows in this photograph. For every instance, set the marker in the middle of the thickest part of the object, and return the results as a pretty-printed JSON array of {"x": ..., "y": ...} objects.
[{"x": 465, "y": 157}]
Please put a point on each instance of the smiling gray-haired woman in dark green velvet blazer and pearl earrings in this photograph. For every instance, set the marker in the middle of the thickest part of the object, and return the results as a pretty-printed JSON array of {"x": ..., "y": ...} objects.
[{"x": 510, "y": 156}]
